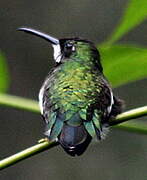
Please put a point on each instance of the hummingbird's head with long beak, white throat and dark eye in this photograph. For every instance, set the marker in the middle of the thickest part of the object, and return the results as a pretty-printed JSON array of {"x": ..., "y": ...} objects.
[{"x": 66, "y": 49}]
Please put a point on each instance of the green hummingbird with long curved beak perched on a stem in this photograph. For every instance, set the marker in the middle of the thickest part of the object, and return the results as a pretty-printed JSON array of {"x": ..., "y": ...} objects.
[{"x": 76, "y": 99}]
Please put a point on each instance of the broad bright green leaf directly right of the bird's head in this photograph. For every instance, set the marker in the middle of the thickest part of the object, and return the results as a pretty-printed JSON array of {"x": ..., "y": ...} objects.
[{"x": 124, "y": 63}]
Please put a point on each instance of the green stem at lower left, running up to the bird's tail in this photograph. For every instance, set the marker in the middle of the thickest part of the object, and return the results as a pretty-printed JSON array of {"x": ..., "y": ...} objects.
[{"x": 26, "y": 153}]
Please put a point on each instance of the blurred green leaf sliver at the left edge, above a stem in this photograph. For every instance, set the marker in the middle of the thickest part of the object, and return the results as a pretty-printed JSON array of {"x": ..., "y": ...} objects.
[{"x": 4, "y": 75}]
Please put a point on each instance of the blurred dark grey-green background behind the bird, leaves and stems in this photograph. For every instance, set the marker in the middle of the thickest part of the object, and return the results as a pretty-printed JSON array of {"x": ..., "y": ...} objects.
[{"x": 123, "y": 154}]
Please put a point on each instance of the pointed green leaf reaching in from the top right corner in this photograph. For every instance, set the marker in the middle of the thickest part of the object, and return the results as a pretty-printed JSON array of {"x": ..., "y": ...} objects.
[{"x": 134, "y": 14}]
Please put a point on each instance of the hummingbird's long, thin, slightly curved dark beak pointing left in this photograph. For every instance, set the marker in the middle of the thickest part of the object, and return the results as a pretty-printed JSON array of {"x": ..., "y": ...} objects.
[{"x": 45, "y": 36}]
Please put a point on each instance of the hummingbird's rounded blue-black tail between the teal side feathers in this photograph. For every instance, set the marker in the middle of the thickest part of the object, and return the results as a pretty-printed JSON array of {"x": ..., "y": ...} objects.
[{"x": 74, "y": 139}]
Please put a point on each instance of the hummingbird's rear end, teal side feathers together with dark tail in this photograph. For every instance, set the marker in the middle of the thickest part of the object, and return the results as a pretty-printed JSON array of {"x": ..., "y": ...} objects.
[{"x": 75, "y": 134}]
